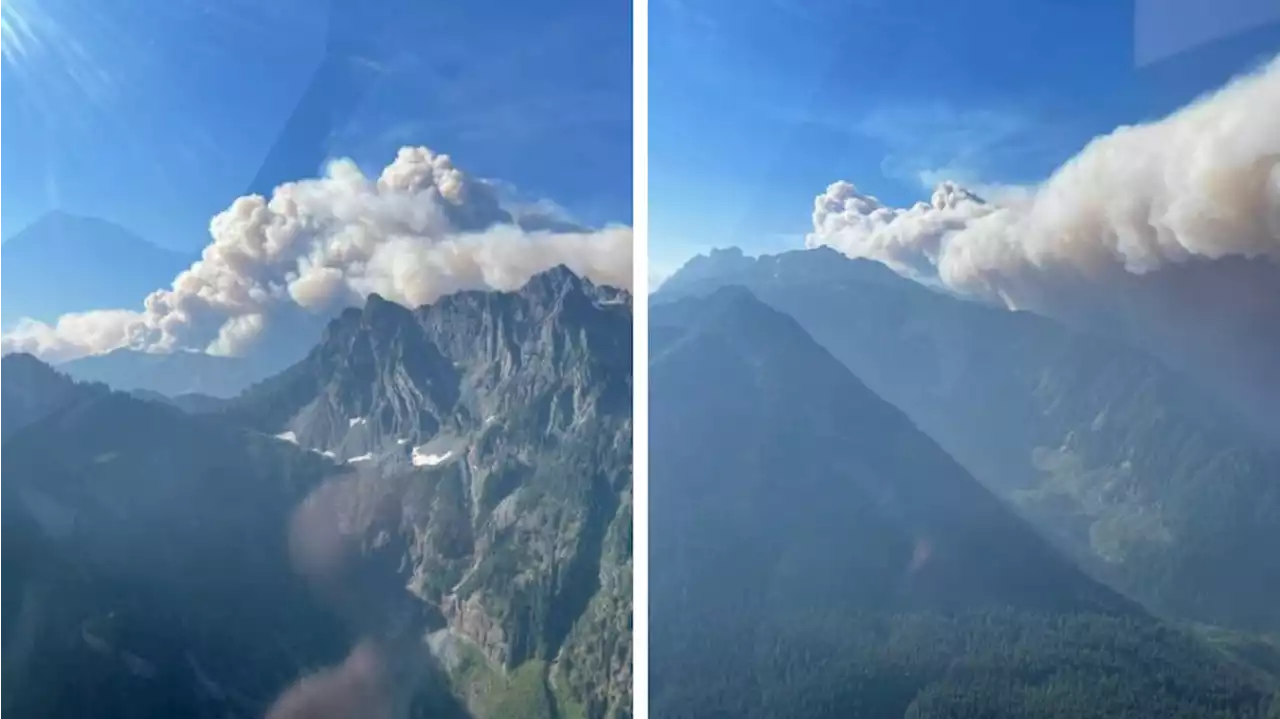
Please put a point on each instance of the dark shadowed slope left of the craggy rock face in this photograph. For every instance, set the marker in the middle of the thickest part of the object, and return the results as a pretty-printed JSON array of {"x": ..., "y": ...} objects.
[{"x": 152, "y": 574}]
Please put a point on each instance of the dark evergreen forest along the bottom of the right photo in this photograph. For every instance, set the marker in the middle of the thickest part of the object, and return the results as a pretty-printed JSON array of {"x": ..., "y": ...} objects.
[{"x": 982, "y": 666}]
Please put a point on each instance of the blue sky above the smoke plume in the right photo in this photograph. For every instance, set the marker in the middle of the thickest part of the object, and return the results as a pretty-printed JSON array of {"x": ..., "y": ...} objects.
[{"x": 757, "y": 106}]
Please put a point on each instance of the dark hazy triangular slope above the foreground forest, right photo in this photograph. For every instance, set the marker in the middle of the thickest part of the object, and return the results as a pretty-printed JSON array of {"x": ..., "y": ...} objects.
[{"x": 828, "y": 459}]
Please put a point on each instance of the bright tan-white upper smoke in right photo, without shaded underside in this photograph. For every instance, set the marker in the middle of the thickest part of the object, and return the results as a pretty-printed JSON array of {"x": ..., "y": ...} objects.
[{"x": 1204, "y": 182}]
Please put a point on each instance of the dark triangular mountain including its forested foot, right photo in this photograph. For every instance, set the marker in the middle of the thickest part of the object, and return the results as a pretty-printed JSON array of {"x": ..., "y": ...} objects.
[{"x": 815, "y": 555}]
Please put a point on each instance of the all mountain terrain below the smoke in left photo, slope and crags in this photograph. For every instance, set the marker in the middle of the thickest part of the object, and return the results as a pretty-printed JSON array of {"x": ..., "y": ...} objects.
[{"x": 493, "y": 544}]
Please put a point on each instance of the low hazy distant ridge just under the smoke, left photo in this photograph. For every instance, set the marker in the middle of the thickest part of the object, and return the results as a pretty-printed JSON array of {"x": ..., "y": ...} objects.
[{"x": 172, "y": 374}]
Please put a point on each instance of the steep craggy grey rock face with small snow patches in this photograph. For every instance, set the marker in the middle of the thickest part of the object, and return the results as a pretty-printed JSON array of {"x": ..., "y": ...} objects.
[{"x": 495, "y": 431}]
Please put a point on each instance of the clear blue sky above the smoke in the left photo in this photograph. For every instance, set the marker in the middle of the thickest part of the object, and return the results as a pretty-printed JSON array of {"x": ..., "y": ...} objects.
[{"x": 156, "y": 115}]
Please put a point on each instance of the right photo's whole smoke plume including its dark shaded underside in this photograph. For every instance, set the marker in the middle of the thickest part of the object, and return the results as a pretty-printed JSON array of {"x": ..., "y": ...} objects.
[{"x": 1172, "y": 228}]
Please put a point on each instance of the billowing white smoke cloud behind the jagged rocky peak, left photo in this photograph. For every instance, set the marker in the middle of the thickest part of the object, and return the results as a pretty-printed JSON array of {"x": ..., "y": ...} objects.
[{"x": 419, "y": 231}]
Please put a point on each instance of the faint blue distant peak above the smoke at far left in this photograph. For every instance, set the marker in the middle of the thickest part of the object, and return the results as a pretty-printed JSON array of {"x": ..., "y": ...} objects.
[{"x": 57, "y": 265}]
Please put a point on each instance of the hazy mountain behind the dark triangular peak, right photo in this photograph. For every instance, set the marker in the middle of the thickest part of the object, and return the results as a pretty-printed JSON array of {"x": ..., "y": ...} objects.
[{"x": 1149, "y": 482}]
